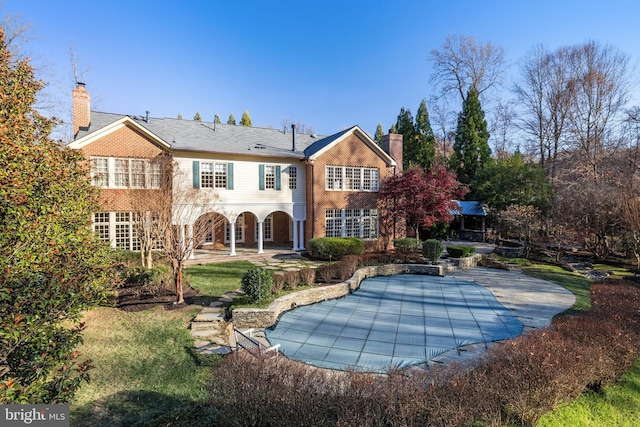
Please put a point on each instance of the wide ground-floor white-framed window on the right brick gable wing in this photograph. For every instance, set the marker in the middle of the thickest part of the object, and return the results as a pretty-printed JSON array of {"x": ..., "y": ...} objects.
[{"x": 361, "y": 223}]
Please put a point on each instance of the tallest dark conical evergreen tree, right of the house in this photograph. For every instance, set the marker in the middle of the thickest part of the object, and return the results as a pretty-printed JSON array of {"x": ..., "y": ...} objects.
[{"x": 471, "y": 147}]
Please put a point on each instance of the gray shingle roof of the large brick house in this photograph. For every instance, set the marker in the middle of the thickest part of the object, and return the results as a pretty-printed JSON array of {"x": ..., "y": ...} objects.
[{"x": 191, "y": 135}]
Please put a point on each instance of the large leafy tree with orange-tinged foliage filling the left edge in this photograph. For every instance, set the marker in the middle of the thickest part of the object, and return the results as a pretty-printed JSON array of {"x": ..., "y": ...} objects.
[{"x": 52, "y": 266}]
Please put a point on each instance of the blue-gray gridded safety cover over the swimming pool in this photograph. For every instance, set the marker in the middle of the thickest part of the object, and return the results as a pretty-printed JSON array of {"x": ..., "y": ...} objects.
[{"x": 398, "y": 321}]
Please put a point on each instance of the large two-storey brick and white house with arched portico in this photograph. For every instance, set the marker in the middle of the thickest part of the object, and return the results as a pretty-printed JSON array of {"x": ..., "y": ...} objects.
[{"x": 271, "y": 186}]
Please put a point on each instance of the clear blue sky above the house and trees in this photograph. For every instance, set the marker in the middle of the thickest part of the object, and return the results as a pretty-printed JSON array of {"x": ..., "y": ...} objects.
[{"x": 328, "y": 64}]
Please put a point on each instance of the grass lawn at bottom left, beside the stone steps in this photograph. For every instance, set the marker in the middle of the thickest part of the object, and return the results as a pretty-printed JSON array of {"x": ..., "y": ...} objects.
[{"x": 144, "y": 366}]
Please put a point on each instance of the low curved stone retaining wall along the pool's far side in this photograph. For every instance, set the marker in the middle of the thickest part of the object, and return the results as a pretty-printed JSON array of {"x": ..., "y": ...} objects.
[{"x": 266, "y": 317}]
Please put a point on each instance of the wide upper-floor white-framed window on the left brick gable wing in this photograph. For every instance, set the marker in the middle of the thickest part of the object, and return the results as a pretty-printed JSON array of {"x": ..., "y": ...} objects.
[{"x": 114, "y": 172}]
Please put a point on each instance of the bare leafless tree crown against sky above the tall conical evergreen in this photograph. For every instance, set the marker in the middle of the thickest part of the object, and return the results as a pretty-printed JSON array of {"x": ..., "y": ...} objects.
[{"x": 462, "y": 63}]
